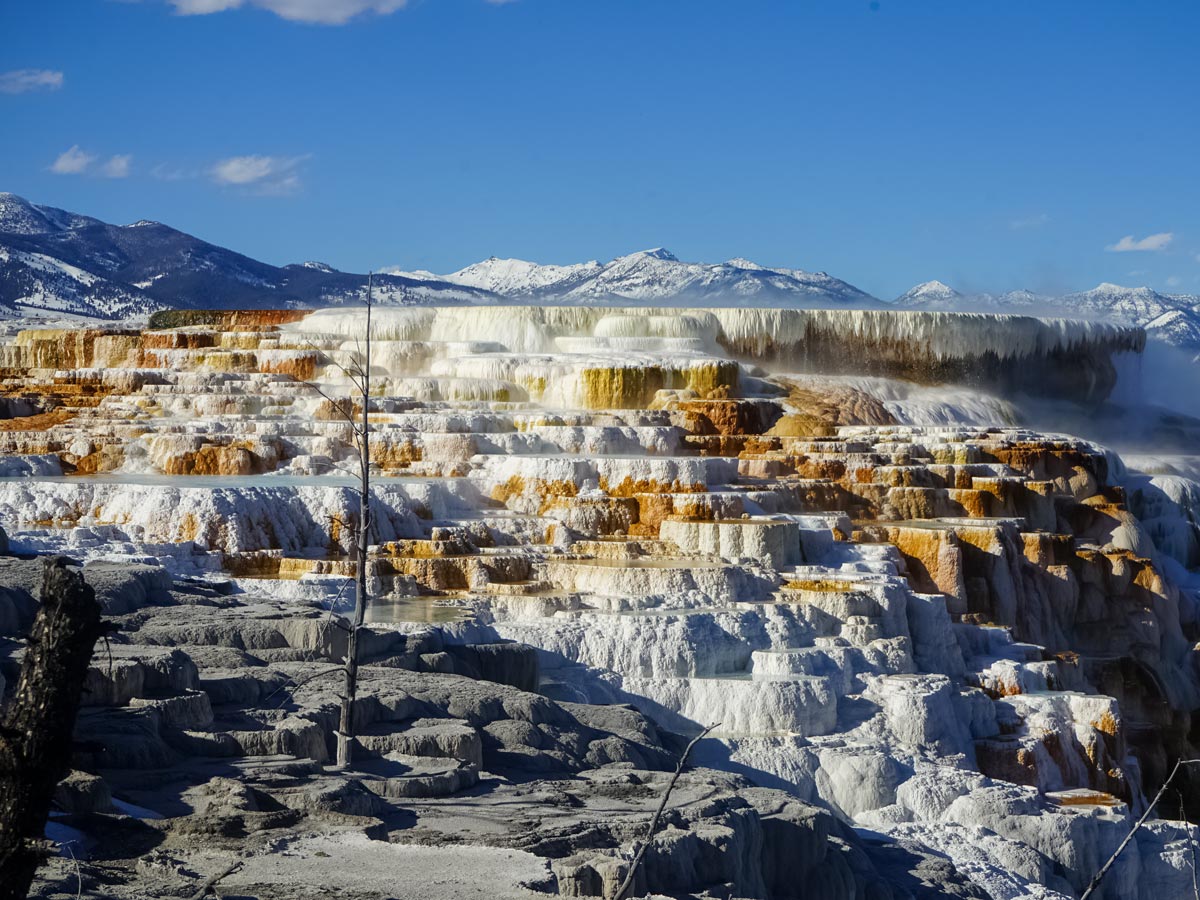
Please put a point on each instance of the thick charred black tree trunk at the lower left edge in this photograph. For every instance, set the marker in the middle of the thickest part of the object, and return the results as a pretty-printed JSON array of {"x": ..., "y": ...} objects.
[{"x": 35, "y": 739}]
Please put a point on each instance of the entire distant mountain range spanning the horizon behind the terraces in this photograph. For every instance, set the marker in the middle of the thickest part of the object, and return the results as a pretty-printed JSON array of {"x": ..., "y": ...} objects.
[{"x": 58, "y": 262}]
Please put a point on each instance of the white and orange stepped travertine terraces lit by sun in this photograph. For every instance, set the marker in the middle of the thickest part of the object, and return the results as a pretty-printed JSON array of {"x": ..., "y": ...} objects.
[{"x": 949, "y": 631}]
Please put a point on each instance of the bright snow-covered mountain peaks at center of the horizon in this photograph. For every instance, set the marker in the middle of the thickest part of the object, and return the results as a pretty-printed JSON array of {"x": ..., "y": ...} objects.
[{"x": 659, "y": 277}]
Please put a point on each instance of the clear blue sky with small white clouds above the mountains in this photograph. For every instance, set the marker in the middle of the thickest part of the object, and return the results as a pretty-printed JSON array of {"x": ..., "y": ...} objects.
[{"x": 989, "y": 145}]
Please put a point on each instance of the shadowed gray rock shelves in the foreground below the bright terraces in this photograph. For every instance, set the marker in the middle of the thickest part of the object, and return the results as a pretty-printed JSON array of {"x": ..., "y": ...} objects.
[{"x": 208, "y": 729}]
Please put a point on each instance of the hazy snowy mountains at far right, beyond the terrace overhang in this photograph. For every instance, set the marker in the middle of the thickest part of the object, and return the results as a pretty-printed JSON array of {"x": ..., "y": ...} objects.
[{"x": 1172, "y": 319}]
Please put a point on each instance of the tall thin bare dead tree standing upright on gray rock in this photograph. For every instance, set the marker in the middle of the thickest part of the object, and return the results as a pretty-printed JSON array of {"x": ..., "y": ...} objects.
[{"x": 362, "y": 542}]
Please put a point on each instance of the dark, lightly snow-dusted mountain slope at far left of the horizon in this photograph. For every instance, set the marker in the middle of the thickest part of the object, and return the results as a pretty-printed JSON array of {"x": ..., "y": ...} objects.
[{"x": 64, "y": 263}]
